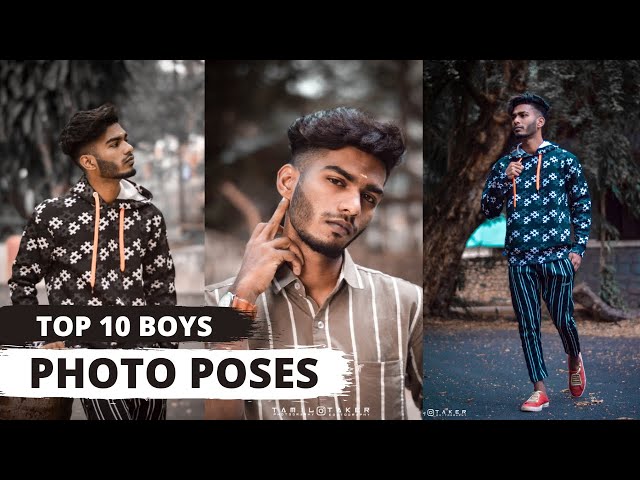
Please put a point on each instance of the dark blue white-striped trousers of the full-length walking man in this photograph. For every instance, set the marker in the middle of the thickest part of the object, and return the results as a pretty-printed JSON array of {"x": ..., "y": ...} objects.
[{"x": 555, "y": 281}]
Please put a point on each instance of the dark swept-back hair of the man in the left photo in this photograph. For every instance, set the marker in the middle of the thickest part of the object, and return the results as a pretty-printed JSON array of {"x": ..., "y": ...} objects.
[{"x": 85, "y": 127}]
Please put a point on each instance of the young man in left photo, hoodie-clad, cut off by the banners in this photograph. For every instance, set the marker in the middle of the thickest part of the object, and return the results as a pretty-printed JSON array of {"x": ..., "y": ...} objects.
[{"x": 102, "y": 243}]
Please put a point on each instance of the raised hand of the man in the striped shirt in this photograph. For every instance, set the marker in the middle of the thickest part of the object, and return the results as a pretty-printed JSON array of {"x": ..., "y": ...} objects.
[{"x": 263, "y": 256}]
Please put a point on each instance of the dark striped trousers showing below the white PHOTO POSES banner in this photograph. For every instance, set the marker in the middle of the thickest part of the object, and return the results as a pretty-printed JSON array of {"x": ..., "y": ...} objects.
[{"x": 125, "y": 409}]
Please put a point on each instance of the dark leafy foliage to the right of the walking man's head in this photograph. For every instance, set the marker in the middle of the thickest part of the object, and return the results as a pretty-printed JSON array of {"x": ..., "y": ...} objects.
[{"x": 595, "y": 113}]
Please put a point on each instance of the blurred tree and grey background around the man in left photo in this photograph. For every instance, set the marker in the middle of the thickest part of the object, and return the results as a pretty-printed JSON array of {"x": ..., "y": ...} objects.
[{"x": 160, "y": 105}]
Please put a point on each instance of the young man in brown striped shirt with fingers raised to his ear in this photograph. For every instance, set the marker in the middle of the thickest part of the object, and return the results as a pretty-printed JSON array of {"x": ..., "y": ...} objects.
[{"x": 306, "y": 290}]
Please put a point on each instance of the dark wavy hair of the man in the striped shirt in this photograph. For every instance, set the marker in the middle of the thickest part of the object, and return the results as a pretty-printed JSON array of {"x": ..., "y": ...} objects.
[{"x": 342, "y": 127}]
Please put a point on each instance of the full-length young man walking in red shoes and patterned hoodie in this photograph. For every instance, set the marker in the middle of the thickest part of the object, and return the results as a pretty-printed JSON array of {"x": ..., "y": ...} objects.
[{"x": 546, "y": 195}]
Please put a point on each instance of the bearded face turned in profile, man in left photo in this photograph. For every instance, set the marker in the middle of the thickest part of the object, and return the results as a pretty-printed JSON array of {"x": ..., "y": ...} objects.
[{"x": 113, "y": 154}]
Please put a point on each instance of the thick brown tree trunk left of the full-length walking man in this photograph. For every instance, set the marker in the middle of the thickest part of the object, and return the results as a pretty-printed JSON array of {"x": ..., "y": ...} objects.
[{"x": 473, "y": 148}]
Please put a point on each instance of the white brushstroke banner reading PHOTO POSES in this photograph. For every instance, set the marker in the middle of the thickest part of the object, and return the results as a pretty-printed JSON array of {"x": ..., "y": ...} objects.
[{"x": 172, "y": 373}]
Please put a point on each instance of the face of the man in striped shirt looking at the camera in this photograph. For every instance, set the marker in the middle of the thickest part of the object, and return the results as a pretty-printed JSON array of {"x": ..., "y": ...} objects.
[{"x": 335, "y": 198}]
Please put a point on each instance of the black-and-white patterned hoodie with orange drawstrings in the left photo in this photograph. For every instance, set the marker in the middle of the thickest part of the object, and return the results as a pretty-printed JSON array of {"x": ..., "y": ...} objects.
[{"x": 93, "y": 253}]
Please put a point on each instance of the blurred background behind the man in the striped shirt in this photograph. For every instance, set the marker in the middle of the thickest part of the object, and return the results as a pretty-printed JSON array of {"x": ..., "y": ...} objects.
[{"x": 249, "y": 107}]
